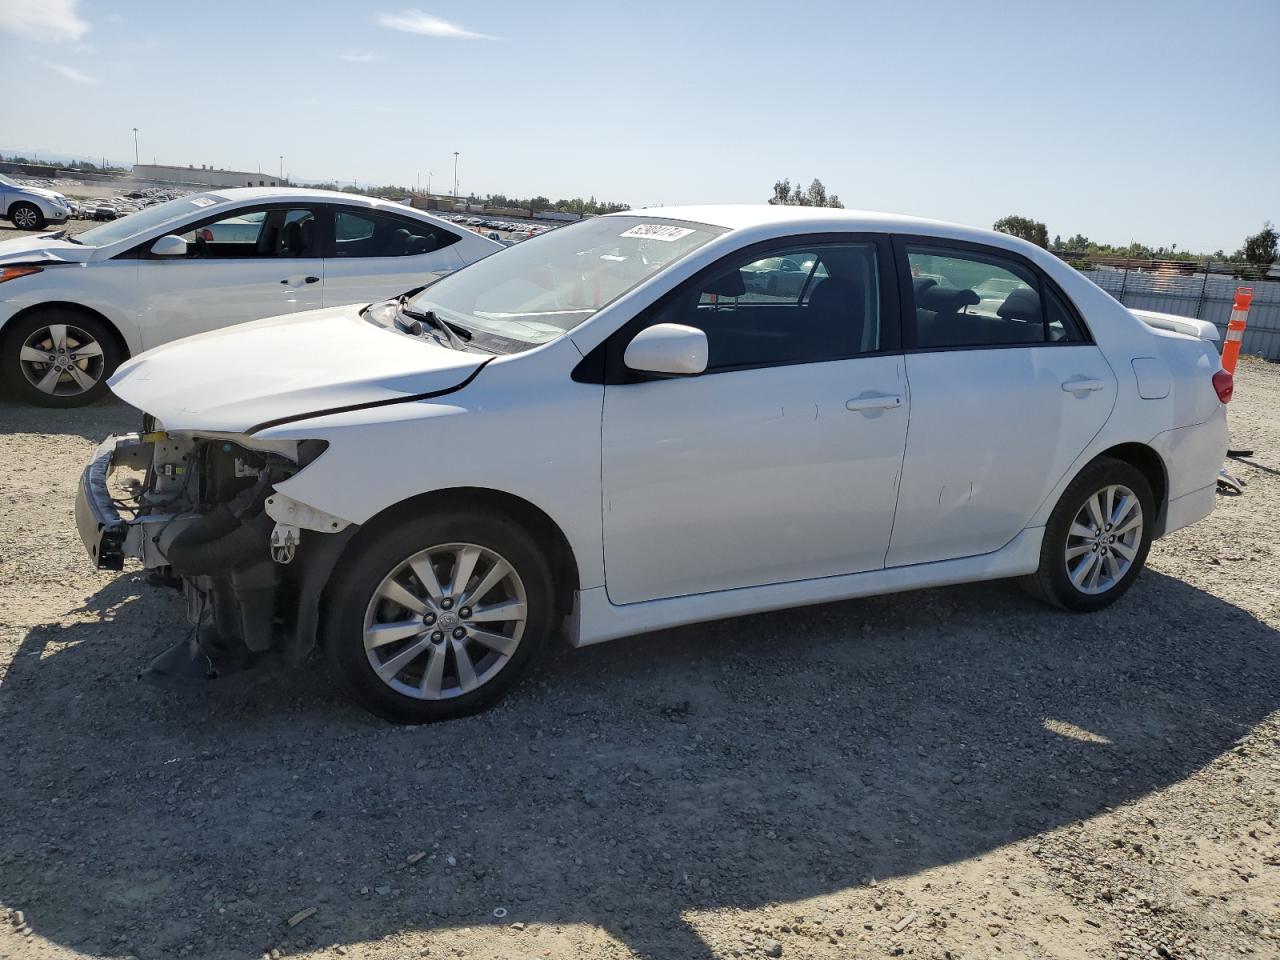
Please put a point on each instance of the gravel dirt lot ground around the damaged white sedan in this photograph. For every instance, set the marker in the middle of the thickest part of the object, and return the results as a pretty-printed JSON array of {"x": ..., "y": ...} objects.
[{"x": 953, "y": 774}]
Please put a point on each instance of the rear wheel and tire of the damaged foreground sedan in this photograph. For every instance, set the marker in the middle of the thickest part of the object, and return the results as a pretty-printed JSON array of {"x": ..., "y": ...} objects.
[{"x": 1098, "y": 538}]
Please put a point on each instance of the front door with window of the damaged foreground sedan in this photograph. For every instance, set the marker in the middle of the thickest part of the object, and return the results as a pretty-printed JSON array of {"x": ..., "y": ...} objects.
[{"x": 781, "y": 461}]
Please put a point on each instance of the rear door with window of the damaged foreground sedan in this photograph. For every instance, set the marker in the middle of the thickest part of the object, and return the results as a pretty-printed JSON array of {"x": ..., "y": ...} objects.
[{"x": 1007, "y": 392}]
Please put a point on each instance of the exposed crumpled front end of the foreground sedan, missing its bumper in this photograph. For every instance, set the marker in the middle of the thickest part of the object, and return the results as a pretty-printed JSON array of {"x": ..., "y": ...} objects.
[{"x": 203, "y": 515}]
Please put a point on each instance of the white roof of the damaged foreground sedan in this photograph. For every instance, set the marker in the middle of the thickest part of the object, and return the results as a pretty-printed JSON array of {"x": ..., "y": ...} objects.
[{"x": 752, "y": 217}]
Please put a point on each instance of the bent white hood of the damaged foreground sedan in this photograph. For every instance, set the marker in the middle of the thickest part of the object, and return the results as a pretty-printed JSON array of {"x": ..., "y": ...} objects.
[{"x": 287, "y": 368}]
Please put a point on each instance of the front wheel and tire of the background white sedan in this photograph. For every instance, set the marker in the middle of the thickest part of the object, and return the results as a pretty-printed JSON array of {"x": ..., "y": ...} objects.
[{"x": 60, "y": 359}]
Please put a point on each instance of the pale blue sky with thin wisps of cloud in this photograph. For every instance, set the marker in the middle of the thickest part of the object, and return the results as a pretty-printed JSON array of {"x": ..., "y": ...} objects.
[{"x": 1124, "y": 121}]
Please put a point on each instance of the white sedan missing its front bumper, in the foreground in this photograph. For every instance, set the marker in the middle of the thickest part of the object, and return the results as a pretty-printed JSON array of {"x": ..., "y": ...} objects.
[{"x": 606, "y": 431}]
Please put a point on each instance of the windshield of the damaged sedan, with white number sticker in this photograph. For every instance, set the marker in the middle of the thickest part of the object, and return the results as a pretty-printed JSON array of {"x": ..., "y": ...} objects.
[{"x": 545, "y": 287}]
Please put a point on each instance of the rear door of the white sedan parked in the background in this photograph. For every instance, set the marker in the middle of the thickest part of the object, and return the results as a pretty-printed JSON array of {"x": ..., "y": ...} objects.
[{"x": 377, "y": 254}]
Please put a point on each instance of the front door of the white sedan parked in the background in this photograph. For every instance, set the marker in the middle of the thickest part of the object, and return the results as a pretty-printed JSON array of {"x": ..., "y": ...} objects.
[{"x": 253, "y": 264}]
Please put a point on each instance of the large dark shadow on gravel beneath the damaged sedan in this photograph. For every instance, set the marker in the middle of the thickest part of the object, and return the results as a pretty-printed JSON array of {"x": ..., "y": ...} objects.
[{"x": 756, "y": 761}]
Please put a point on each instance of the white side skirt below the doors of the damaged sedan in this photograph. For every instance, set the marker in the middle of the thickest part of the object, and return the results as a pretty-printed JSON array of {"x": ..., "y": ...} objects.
[{"x": 595, "y": 620}]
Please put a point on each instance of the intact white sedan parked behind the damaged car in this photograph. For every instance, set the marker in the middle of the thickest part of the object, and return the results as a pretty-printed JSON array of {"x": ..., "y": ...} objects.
[{"x": 72, "y": 309}]
